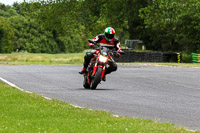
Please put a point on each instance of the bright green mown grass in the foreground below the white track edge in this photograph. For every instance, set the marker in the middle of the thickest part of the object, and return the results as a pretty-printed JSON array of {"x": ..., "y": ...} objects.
[{"x": 23, "y": 112}]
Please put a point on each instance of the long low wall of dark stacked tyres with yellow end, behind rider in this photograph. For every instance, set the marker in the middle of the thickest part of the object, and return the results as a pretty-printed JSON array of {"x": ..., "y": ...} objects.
[{"x": 131, "y": 56}]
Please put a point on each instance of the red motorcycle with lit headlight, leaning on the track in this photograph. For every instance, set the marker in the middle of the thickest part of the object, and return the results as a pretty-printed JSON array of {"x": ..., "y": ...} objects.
[{"x": 97, "y": 66}]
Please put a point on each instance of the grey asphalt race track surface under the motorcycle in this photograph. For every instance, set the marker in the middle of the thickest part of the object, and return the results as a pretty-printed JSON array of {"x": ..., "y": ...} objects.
[{"x": 165, "y": 94}]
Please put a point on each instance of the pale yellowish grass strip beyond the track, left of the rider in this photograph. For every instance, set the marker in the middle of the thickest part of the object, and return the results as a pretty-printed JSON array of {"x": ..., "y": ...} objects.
[{"x": 31, "y": 58}]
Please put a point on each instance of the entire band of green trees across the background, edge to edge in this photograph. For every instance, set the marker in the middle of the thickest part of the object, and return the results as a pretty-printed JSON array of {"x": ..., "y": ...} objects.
[{"x": 62, "y": 26}]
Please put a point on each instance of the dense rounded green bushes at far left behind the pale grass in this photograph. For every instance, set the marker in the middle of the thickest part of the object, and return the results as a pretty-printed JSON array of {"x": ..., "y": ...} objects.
[{"x": 21, "y": 30}]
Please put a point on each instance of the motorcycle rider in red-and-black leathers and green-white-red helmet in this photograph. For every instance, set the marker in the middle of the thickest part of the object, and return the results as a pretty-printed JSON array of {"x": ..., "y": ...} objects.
[{"x": 106, "y": 39}]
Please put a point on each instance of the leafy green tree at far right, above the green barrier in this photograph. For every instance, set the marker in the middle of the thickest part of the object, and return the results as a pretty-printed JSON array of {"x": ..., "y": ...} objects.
[{"x": 174, "y": 25}]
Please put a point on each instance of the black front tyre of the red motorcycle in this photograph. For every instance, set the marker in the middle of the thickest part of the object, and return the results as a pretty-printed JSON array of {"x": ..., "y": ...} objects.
[{"x": 97, "y": 78}]
